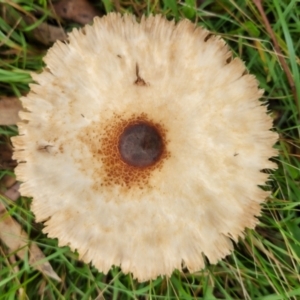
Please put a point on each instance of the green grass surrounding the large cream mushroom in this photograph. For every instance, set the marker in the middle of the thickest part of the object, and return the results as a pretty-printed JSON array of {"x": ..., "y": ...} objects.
[{"x": 265, "y": 265}]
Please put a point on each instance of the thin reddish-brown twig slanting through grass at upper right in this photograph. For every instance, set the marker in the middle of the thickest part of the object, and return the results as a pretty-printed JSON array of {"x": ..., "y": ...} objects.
[{"x": 278, "y": 51}]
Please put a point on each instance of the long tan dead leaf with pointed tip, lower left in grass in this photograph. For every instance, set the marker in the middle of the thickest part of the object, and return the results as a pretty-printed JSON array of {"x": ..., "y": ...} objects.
[{"x": 17, "y": 241}]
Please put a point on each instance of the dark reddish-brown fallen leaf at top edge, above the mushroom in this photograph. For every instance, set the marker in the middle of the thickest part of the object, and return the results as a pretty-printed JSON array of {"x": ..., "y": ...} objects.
[{"x": 80, "y": 11}]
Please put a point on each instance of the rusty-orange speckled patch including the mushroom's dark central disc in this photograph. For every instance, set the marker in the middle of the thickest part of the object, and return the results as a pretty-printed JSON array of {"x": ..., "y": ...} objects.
[{"x": 127, "y": 150}]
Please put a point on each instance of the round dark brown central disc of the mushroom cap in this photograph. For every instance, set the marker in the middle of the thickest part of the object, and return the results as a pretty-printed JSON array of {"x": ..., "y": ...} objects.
[{"x": 140, "y": 145}]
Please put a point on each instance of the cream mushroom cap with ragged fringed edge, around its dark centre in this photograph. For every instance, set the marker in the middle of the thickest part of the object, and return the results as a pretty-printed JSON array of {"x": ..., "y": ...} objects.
[{"x": 202, "y": 189}]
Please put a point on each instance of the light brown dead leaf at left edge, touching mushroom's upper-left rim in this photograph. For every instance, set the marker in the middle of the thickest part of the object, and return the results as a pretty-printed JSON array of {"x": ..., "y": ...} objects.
[{"x": 9, "y": 108}]
